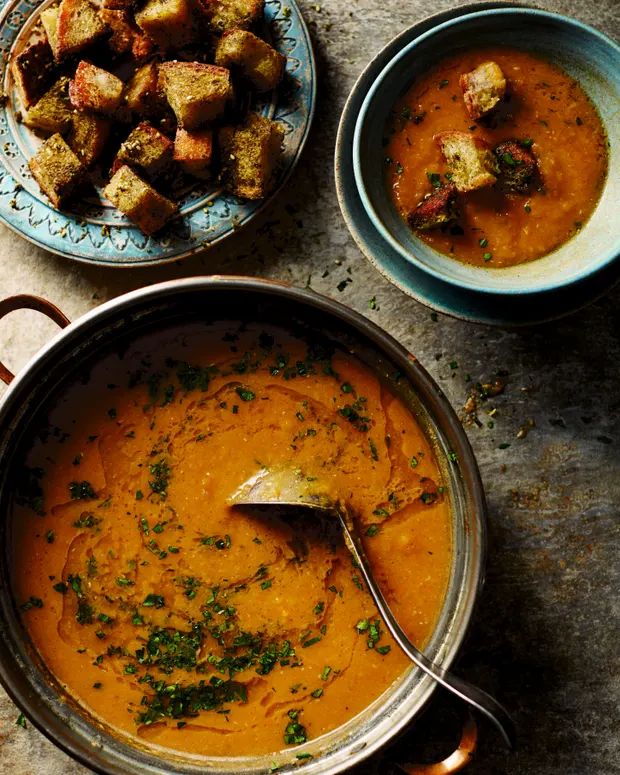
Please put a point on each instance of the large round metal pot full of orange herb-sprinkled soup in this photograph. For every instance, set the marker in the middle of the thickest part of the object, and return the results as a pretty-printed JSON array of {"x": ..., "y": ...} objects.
[{"x": 149, "y": 628}]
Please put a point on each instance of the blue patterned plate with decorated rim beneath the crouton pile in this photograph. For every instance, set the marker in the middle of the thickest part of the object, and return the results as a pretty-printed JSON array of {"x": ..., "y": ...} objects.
[{"x": 97, "y": 233}]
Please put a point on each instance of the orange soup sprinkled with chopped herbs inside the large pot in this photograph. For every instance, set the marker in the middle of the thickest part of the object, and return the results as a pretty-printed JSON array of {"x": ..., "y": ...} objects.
[{"x": 175, "y": 619}]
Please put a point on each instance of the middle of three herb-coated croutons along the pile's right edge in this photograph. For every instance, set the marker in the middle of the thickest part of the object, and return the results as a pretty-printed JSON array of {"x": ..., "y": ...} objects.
[{"x": 261, "y": 64}]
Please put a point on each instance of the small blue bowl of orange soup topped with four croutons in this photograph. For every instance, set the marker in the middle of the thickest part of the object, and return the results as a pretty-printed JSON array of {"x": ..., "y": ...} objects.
[{"x": 487, "y": 151}]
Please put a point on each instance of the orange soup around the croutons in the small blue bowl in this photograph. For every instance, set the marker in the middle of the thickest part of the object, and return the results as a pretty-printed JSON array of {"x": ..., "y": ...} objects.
[{"x": 548, "y": 110}]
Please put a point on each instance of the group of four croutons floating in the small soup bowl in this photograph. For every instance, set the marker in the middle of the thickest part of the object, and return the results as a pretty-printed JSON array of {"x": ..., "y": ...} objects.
[{"x": 472, "y": 163}]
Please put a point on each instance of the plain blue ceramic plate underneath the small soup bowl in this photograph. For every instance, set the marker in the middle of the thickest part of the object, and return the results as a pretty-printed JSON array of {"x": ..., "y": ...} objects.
[{"x": 524, "y": 309}]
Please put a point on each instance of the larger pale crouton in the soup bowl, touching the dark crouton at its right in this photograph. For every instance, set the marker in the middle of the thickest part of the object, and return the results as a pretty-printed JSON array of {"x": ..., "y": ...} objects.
[{"x": 470, "y": 160}]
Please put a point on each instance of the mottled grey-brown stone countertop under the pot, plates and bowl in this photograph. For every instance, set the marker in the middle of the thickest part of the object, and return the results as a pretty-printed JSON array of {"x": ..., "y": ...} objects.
[{"x": 545, "y": 636}]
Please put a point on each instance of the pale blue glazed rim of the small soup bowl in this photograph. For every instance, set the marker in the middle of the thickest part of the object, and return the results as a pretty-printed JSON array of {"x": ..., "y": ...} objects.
[{"x": 410, "y": 256}]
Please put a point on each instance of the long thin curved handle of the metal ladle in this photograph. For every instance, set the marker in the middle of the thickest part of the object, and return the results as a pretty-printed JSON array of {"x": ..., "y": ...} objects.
[{"x": 466, "y": 691}]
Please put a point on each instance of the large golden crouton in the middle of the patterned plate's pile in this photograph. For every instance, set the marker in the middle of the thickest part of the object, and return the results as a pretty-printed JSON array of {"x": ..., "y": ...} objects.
[{"x": 197, "y": 93}]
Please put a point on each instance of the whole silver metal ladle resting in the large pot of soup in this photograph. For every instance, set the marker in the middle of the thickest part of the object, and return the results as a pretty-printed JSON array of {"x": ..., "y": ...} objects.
[{"x": 287, "y": 488}]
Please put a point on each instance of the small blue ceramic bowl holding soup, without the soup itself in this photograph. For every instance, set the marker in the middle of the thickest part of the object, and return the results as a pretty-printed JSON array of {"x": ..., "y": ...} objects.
[{"x": 581, "y": 51}]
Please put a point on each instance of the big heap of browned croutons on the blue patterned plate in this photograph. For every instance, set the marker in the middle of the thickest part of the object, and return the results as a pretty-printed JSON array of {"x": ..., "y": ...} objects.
[{"x": 145, "y": 90}]
